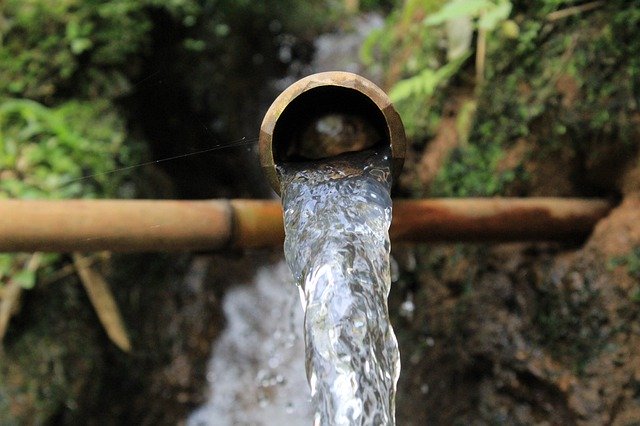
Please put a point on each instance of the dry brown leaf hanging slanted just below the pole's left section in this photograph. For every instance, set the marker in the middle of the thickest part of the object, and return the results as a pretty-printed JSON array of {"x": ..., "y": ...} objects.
[{"x": 103, "y": 302}]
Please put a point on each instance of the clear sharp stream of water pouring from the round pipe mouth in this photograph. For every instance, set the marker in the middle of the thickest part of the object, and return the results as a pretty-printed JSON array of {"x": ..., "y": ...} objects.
[{"x": 337, "y": 214}]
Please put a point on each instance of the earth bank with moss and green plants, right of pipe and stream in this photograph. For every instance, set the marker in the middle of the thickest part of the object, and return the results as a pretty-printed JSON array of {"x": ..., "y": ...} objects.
[{"x": 518, "y": 98}]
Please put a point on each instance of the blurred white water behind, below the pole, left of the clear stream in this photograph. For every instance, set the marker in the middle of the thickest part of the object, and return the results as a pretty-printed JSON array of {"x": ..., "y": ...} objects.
[{"x": 256, "y": 371}]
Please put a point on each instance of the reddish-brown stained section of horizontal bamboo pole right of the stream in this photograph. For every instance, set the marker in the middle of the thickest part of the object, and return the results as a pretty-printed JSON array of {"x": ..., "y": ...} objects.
[{"x": 495, "y": 219}]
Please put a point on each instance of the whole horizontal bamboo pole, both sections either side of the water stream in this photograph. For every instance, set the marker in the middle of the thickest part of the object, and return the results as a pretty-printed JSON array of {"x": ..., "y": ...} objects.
[{"x": 159, "y": 225}]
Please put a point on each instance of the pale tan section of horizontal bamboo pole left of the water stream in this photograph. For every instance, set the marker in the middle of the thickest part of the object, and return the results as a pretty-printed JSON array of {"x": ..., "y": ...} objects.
[{"x": 137, "y": 225}]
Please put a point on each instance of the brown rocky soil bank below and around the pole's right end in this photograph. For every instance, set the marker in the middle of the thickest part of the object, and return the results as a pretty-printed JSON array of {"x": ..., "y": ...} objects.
[{"x": 524, "y": 334}]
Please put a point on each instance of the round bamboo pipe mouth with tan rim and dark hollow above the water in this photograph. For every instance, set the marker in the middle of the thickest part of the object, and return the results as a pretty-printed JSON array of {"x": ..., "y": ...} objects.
[{"x": 325, "y": 115}]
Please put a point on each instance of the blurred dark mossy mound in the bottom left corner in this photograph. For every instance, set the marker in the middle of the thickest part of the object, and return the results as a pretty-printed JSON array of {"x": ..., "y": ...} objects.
[{"x": 50, "y": 366}]
